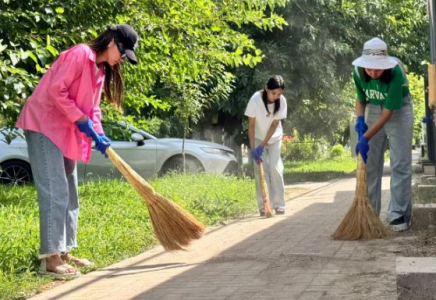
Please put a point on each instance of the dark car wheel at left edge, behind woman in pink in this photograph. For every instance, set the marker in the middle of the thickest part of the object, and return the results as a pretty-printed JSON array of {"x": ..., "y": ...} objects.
[{"x": 15, "y": 172}]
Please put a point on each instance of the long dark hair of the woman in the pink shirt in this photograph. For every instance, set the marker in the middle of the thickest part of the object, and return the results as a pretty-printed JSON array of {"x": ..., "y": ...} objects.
[{"x": 113, "y": 83}]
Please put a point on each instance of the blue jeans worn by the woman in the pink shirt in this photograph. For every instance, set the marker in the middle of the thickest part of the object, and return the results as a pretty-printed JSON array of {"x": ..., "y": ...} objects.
[{"x": 56, "y": 183}]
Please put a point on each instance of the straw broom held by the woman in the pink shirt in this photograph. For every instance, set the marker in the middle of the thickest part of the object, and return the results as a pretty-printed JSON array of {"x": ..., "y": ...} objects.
[{"x": 174, "y": 227}]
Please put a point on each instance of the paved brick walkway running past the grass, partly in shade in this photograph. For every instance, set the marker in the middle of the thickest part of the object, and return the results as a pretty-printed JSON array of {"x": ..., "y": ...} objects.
[{"x": 285, "y": 257}]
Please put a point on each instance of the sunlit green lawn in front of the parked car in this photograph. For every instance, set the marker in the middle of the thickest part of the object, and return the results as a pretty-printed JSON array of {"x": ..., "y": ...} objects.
[{"x": 114, "y": 223}]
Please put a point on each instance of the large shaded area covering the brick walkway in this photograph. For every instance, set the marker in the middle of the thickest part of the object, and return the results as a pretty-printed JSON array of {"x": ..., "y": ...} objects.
[{"x": 295, "y": 258}]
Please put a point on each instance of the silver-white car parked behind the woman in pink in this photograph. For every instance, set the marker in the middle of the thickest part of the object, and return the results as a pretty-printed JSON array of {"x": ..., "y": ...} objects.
[{"x": 147, "y": 155}]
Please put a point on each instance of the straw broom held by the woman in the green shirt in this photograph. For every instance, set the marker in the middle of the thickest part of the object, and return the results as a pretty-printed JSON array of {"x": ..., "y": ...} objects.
[{"x": 361, "y": 221}]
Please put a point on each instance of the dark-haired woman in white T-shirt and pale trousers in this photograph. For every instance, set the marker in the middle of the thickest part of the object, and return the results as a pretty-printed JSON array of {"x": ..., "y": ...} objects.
[{"x": 265, "y": 110}]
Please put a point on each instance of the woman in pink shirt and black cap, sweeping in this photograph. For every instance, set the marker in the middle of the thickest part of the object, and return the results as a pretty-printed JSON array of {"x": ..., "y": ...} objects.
[{"x": 61, "y": 119}]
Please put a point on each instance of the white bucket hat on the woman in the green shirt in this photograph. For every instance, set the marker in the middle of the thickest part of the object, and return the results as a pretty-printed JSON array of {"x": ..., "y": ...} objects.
[{"x": 375, "y": 56}]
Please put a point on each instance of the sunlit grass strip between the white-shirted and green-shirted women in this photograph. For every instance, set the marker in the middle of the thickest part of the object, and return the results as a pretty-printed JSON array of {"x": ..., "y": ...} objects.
[{"x": 321, "y": 170}]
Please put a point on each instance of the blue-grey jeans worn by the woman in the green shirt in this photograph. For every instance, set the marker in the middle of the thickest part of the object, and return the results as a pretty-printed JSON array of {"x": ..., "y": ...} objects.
[{"x": 399, "y": 131}]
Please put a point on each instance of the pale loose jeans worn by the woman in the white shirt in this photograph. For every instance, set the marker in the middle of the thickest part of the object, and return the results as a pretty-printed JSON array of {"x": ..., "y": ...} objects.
[{"x": 273, "y": 167}]
